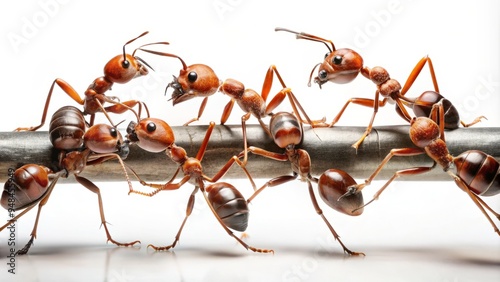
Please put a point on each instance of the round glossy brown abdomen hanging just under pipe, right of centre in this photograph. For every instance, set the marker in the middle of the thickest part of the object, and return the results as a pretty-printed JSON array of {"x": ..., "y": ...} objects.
[{"x": 333, "y": 184}]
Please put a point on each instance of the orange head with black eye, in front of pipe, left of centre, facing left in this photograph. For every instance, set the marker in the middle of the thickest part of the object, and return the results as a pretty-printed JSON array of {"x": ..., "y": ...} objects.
[{"x": 151, "y": 134}]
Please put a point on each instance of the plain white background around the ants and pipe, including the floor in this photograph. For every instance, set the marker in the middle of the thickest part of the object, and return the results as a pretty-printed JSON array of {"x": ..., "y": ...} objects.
[{"x": 416, "y": 231}]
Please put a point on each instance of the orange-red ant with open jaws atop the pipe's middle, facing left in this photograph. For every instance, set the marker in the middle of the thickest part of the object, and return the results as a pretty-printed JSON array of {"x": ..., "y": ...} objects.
[{"x": 200, "y": 80}]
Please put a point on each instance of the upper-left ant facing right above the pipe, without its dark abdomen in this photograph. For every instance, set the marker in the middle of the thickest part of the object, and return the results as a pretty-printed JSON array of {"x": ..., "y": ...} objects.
[{"x": 120, "y": 69}]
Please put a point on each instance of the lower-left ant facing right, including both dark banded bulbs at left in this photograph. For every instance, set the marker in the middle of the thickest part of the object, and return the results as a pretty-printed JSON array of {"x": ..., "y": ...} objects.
[{"x": 32, "y": 184}]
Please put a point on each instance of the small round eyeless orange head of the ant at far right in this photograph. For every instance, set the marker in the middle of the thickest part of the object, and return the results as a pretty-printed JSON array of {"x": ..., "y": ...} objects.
[{"x": 423, "y": 131}]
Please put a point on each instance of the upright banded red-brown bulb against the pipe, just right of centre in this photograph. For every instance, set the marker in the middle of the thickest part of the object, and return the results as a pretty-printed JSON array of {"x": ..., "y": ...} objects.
[{"x": 286, "y": 129}]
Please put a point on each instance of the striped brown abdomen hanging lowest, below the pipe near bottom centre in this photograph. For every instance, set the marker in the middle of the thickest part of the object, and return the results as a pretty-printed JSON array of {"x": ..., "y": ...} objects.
[{"x": 229, "y": 204}]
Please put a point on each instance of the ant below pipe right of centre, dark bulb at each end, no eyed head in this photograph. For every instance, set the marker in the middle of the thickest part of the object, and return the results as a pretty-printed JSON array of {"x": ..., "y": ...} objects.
[{"x": 332, "y": 184}]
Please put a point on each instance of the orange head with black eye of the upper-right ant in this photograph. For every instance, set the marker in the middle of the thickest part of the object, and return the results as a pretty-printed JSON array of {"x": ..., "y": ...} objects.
[{"x": 340, "y": 66}]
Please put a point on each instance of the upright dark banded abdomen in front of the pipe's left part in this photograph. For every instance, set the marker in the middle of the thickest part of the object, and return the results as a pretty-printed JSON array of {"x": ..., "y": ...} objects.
[{"x": 67, "y": 128}]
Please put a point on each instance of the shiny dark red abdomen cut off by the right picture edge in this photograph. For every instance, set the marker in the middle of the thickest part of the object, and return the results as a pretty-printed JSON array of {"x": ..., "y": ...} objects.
[{"x": 479, "y": 171}]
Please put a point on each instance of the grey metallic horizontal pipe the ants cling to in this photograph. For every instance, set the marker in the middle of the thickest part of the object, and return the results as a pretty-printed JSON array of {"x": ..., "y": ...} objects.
[{"x": 328, "y": 148}]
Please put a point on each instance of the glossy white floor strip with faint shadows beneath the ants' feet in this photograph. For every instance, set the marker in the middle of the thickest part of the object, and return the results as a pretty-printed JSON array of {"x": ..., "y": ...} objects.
[{"x": 101, "y": 263}]
